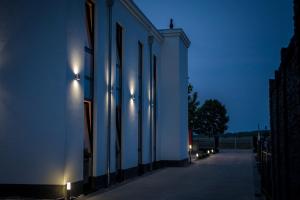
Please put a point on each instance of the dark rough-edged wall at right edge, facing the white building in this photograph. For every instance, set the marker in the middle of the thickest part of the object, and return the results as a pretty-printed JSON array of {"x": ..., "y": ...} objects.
[{"x": 285, "y": 120}]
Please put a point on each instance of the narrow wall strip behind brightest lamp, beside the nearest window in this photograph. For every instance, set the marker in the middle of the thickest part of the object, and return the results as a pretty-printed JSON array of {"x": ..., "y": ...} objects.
[{"x": 74, "y": 116}]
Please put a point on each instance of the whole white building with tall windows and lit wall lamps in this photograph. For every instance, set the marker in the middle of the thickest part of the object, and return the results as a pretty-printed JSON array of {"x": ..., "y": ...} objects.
[{"x": 91, "y": 93}]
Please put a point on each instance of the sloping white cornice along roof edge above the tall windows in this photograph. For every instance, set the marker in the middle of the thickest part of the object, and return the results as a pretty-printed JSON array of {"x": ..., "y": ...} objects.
[{"x": 136, "y": 12}]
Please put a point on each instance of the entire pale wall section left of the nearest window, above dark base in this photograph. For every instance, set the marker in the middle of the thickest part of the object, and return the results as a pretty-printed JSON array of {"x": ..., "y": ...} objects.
[{"x": 40, "y": 104}]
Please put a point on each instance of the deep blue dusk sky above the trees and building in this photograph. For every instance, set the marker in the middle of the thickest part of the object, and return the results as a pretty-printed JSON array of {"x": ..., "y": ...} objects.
[{"x": 235, "y": 49}]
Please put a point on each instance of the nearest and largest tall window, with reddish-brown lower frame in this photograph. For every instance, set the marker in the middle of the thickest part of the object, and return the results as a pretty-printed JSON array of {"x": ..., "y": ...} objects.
[{"x": 88, "y": 95}]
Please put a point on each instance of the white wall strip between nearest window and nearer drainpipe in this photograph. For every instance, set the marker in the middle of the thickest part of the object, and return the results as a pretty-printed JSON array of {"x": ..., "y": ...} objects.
[{"x": 101, "y": 88}]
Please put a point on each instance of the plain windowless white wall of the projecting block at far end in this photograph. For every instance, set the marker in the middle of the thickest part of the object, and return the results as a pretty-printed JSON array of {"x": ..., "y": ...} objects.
[{"x": 172, "y": 121}]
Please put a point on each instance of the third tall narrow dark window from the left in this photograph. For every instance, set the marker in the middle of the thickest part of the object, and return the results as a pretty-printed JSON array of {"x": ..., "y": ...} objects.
[{"x": 140, "y": 110}]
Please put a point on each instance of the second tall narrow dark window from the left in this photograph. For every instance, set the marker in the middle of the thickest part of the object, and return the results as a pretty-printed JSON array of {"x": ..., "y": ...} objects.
[{"x": 119, "y": 65}]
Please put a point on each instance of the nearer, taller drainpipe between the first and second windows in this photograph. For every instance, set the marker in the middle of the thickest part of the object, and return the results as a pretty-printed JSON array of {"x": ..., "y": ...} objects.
[{"x": 109, "y": 4}]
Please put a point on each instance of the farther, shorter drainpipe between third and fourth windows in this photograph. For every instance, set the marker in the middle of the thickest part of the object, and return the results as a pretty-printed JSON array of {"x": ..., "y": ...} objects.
[{"x": 150, "y": 42}]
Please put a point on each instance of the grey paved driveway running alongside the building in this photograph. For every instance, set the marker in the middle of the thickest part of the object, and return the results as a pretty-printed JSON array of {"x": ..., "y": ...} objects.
[{"x": 224, "y": 176}]
